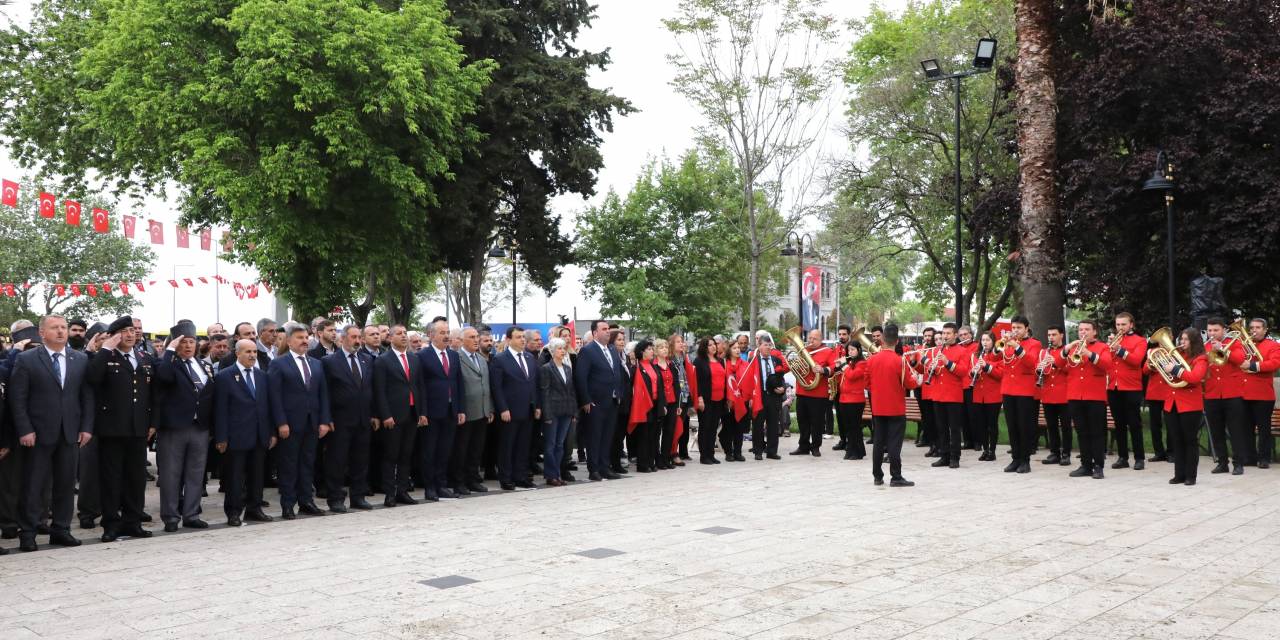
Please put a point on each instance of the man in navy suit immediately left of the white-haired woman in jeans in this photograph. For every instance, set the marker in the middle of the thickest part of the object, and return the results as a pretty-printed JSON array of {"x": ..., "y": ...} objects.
[{"x": 514, "y": 382}]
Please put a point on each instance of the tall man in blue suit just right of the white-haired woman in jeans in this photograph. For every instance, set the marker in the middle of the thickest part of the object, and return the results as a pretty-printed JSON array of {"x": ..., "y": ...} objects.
[{"x": 598, "y": 382}]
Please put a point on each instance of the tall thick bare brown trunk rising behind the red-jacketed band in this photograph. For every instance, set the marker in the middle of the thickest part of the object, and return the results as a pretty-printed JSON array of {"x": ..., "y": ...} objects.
[{"x": 1041, "y": 243}]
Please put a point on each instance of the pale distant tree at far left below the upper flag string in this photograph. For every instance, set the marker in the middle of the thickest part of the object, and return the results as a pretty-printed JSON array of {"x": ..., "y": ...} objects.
[{"x": 45, "y": 253}]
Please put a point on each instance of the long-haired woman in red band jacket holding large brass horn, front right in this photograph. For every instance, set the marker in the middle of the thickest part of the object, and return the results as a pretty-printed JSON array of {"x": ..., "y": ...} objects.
[{"x": 1185, "y": 408}]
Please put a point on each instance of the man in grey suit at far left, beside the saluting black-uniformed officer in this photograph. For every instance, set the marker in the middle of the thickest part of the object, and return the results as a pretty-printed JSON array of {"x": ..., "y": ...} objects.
[{"x": 53, "y": 415}]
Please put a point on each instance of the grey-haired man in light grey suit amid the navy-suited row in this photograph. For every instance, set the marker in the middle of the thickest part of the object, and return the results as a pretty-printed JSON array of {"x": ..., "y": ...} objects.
[{"x": 478, "y": 405}]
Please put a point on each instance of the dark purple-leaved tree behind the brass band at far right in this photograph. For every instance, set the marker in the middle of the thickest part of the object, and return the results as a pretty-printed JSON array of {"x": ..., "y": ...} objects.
[{"x": 1141, "y": 83}]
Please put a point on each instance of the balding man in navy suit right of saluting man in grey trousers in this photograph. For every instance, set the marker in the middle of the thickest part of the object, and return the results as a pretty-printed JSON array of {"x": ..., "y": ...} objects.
[{"x": 243, "y": 433}]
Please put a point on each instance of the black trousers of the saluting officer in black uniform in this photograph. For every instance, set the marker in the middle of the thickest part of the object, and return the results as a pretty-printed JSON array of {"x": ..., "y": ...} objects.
[{"x": 122, "y": 481}]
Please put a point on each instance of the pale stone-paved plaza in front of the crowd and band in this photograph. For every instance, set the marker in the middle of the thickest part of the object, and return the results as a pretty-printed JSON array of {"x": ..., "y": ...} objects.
[{"x": 797, "y": 548}]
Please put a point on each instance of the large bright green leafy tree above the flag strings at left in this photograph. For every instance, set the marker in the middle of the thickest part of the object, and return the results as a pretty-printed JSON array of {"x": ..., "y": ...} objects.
[{"x": 291, "y": 122}]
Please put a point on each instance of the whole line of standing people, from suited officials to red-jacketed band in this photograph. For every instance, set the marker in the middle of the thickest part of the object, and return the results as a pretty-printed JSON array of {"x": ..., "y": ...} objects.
[{"x": 341, "y": 415}]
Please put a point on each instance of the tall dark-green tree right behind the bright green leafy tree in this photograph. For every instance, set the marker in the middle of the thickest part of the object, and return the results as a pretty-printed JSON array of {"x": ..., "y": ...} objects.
[{"x": 541, "y": 121}]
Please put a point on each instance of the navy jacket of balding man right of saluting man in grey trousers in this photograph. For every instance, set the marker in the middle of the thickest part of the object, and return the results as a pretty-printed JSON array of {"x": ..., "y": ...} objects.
[{"x": 244, "y": 422}]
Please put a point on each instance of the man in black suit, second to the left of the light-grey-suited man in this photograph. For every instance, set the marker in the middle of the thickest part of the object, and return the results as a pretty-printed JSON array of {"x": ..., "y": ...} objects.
[{"x": 399, "y": 394}]
